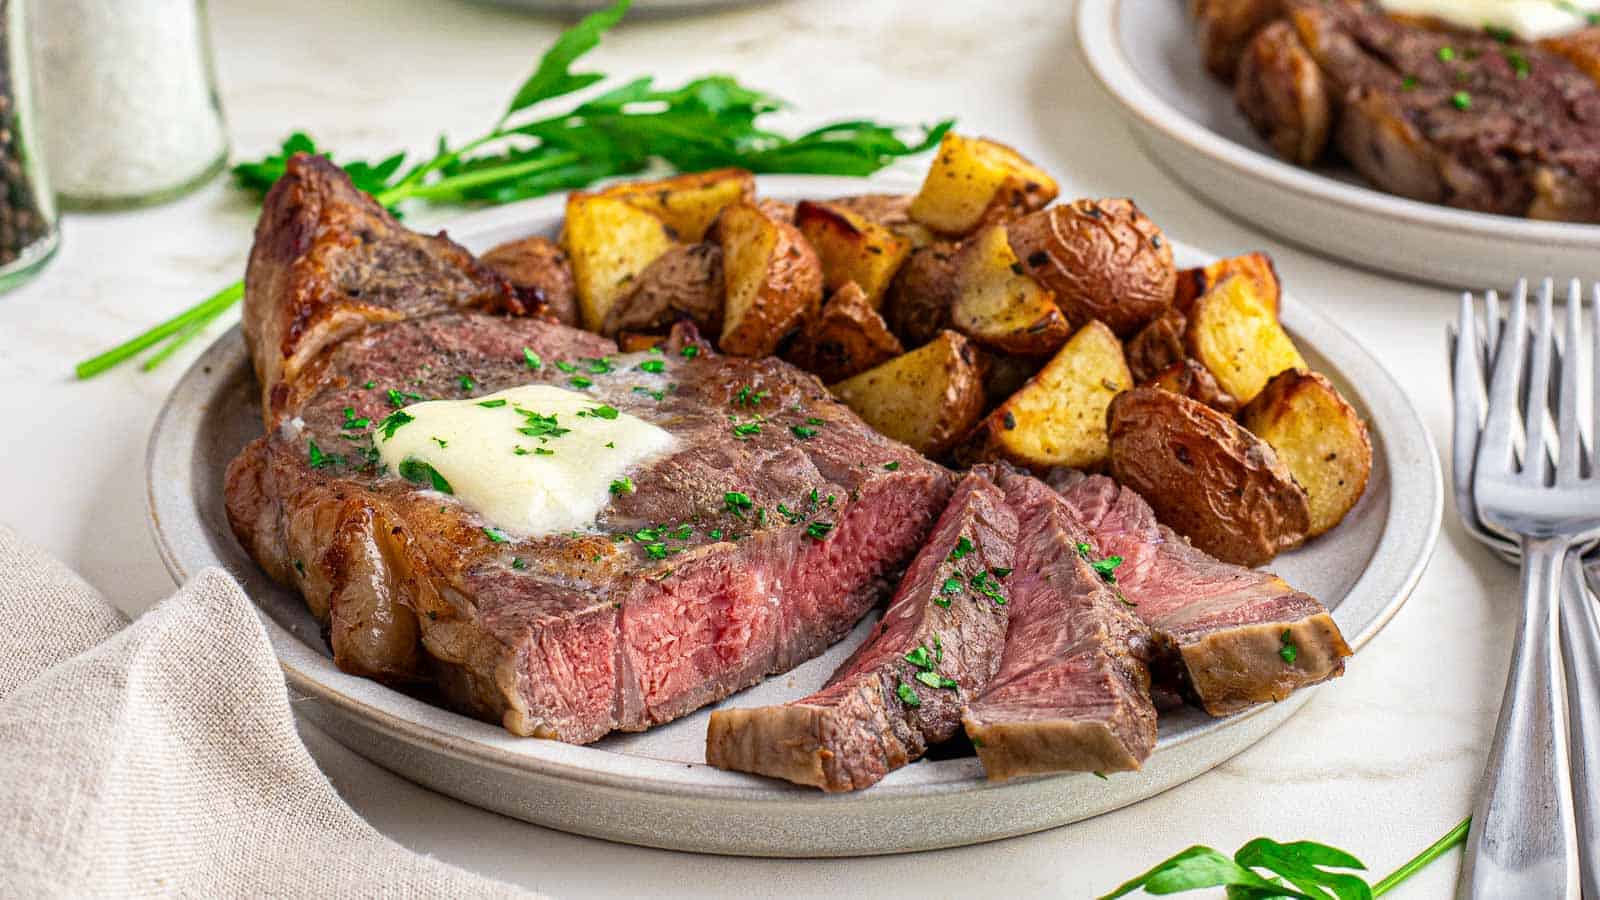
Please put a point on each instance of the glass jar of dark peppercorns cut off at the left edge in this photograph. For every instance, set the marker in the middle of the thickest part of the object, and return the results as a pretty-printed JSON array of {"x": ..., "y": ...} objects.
[{"x": 28, "y": 209}]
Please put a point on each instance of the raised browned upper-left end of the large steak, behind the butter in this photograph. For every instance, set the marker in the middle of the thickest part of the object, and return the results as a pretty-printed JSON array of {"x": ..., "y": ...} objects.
[{"x": 329, "y": 260}]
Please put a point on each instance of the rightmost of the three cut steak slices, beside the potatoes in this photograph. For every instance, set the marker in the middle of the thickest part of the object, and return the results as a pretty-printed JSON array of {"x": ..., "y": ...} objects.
[{"x": 1231, "y": 635}]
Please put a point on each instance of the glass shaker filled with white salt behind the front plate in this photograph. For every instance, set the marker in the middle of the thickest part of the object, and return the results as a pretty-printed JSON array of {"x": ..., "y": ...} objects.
[{"x": 129, "y": 100}]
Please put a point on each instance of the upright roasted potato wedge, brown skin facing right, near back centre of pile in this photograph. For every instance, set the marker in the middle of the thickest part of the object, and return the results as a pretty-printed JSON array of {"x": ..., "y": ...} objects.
[{"x": 772, "y": 276}]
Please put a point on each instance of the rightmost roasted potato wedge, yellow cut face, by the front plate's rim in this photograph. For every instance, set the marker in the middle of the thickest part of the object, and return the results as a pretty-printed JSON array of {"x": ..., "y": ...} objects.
[{"x": 1319, "y": 436}]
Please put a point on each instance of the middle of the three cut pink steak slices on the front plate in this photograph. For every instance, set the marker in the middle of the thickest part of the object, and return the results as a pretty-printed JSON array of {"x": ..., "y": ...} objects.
[{"x": 1073, "y": 693}]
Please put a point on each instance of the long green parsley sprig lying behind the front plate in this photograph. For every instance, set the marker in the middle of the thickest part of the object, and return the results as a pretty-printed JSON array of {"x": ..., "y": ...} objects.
[{"x": 708, "y": 123}]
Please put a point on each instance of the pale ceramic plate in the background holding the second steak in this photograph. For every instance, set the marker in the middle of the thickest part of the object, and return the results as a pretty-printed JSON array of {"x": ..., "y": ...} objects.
[{"x": 1146, "y": 57}]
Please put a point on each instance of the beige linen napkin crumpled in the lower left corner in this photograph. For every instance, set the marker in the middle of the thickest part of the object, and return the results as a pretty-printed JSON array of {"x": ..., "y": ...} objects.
[{"x": 161, "y": 758}]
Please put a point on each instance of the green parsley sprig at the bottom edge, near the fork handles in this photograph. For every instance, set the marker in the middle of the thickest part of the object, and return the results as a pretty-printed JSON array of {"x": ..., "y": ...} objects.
[{"x": 1302, "y": 870}]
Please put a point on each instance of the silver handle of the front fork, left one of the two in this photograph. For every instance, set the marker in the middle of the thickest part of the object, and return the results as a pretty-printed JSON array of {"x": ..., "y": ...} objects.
[{"x": 1522, "y": 840}]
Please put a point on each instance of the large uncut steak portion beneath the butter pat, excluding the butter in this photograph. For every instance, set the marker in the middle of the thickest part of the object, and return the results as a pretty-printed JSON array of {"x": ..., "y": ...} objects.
[{"x": 650, "y": 614}]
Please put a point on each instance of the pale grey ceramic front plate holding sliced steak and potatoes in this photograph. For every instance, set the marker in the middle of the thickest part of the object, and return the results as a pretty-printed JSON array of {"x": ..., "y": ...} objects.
[{"x": 654, "y": 789}]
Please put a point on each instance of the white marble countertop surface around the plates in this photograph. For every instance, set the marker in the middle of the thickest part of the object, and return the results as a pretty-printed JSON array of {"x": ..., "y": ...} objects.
[{"x": 1380, "y": 763}]
